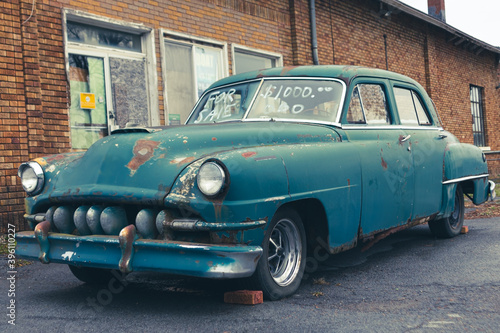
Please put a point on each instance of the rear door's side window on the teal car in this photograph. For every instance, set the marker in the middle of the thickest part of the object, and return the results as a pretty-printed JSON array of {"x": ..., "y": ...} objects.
[{"x": 411, "y": 110}]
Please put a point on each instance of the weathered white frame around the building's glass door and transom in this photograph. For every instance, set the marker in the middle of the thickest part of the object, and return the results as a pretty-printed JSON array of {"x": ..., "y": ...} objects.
[{"x": 148, "y": 54}]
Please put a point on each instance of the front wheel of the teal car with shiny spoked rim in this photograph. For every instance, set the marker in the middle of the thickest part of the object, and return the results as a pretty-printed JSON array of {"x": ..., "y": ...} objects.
[{"x": 281, "y": 267}]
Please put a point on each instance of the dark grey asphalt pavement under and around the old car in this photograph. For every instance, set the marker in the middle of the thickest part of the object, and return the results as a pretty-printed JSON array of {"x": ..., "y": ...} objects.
[{"x": 408, "y": 282}]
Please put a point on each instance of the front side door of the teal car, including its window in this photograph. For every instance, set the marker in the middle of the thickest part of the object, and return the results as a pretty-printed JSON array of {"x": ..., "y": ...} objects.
[{"x": 385, "y": 154}]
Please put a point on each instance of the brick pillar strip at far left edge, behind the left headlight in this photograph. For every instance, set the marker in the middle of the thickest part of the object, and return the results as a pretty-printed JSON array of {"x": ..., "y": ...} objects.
[{"x": 13, "y": 123}]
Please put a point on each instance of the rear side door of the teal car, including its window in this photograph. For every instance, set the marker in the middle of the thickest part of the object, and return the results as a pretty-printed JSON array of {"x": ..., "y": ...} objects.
[{"x": 427, "y": 141}]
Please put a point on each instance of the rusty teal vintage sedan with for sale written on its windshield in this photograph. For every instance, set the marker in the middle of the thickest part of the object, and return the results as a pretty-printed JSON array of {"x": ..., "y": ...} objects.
[{"x": 269, "y": 166}]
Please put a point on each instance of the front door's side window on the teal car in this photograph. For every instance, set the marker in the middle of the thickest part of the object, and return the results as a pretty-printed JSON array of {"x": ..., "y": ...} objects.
[{"x": 368, "y": 105}]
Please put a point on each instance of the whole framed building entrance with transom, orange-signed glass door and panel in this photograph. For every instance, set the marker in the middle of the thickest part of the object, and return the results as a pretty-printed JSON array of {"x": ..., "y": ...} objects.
[{"x": 109, "y": 77}]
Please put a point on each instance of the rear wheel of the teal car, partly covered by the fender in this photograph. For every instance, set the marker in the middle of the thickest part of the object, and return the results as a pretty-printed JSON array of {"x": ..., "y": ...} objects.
[{"x": 451, "y": 226}]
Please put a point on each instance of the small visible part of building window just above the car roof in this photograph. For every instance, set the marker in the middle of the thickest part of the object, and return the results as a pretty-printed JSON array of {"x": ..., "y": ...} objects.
[{"x": 246, "y": 59}]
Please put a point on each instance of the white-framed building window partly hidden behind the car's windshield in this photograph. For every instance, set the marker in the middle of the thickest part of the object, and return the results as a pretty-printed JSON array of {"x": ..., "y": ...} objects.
[{"x": 190, "y": 65}]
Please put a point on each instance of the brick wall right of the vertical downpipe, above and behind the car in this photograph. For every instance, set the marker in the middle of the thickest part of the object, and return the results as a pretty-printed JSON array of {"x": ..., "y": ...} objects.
[{"x": 357, "y": 33}]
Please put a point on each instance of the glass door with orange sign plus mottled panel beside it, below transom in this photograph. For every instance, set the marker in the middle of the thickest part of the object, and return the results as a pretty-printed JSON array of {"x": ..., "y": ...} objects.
[{"x": 106, "y": 93}]
